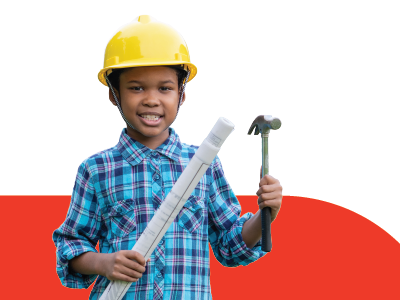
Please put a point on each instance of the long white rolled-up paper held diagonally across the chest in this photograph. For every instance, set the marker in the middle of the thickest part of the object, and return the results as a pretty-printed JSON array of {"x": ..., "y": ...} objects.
[{"x": 174, "y": 201}]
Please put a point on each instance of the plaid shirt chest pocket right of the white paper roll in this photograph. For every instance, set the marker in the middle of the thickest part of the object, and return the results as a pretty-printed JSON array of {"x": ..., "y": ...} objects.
[{"x": 191, "y": 215}]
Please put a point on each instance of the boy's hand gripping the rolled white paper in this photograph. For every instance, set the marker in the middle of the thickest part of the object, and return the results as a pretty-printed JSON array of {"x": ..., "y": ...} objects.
[{"x": 125, "y": 265}]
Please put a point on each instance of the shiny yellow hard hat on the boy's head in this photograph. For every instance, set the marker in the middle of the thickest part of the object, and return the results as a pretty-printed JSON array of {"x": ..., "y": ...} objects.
[{"x": 146, "y": 42}]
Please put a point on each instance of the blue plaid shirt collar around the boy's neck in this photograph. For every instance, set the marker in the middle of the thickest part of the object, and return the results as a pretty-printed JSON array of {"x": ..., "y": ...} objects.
[{"x": 134, "y": 152}]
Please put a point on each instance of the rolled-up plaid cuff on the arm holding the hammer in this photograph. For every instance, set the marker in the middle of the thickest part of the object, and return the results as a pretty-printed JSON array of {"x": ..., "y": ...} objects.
[{"x": 243, "y": 255}]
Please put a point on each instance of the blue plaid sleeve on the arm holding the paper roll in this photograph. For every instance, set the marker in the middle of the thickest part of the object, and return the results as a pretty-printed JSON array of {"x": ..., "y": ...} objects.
[{"x": 80, "y": 231}]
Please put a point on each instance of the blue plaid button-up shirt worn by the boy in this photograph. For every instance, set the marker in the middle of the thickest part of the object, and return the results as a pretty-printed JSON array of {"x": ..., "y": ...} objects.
[{"x": 117, "y": 192}]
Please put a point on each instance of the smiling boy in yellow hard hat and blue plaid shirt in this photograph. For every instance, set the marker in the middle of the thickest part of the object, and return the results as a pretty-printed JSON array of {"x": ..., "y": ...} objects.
[{"x": 117, "y": 191}]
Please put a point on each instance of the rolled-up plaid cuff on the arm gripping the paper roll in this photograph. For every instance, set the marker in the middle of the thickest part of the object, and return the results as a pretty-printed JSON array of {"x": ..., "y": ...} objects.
[{"x": 67, "y": 250}]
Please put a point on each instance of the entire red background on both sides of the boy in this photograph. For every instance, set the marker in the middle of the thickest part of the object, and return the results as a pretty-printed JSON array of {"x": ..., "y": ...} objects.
[{"x": 320, "y": 251}]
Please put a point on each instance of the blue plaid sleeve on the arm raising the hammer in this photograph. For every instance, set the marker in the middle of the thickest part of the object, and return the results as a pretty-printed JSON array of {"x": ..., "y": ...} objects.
[{"x": 225, "y": 224}]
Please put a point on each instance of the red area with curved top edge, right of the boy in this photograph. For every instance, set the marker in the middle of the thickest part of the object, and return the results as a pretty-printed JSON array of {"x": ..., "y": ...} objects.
[{"x": 319, "y": 251}]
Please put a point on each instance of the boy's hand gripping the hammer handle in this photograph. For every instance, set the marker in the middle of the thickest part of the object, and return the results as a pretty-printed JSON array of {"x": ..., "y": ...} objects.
[{"x": 270, "y": 195}]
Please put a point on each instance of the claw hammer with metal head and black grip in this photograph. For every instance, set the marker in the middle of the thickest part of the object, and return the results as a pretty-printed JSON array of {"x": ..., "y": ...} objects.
[{"x": 263, "y": 124}]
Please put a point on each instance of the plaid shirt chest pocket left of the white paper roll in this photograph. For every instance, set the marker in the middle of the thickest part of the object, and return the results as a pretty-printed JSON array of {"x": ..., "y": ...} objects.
[{"x": 121, "y": 217}]
